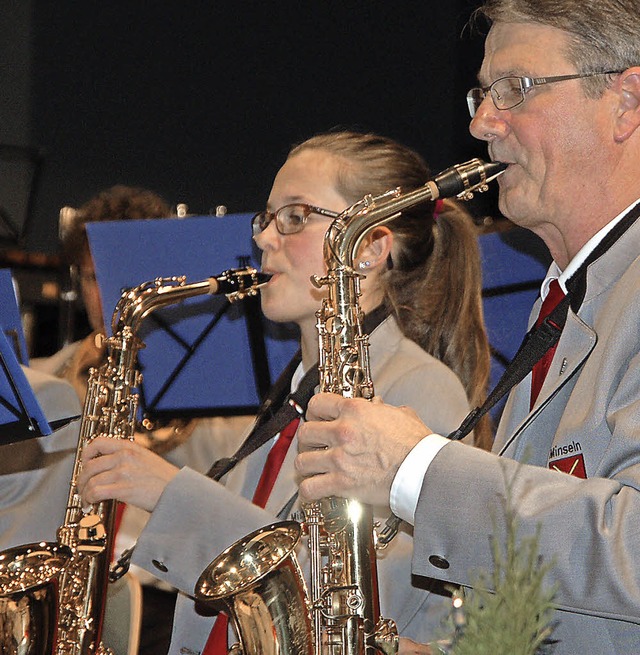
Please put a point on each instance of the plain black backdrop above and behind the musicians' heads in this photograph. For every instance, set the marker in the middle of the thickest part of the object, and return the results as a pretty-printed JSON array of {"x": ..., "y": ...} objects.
[{"x": 201, "y": 100}]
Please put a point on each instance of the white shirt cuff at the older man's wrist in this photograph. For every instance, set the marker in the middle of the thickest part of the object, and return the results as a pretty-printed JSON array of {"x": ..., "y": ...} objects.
[{"x": 407, "y": 484}]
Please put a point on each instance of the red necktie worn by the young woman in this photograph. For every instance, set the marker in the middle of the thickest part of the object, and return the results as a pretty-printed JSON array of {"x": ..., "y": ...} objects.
[{"x": 217, "y": 641}]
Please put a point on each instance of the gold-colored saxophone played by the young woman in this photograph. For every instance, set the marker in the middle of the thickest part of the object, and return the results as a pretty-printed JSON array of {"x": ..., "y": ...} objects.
[{"x": 52, "y": 595}]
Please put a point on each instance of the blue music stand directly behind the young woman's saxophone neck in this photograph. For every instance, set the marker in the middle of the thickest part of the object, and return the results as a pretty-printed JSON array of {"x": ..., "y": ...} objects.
[{"x": 202, "y": 356}]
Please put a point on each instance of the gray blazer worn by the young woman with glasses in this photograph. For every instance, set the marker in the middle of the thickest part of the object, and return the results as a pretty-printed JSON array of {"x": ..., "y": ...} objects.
[{"x": 197, "y": 518}]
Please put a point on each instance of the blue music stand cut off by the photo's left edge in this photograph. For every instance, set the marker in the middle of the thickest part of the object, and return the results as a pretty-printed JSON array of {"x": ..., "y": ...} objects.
[{"x": 21, "y": 417}]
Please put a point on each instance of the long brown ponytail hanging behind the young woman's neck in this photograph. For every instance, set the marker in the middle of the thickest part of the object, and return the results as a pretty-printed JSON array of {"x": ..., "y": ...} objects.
[{"x": 438, "y": 304}]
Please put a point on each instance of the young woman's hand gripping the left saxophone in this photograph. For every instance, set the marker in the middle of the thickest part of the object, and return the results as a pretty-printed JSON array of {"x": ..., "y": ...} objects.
[{"x": 123, "y": 470}]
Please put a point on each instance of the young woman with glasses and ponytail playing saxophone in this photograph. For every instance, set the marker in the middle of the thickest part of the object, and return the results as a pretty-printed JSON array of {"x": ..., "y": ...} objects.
[{"x": 422, "y": 305}]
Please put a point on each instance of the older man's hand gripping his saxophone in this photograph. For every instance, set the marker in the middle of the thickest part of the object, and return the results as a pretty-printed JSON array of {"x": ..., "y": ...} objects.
[{"x": 352, "y": 447}]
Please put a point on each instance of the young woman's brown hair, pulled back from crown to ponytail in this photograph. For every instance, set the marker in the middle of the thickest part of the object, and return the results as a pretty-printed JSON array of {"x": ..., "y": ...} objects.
[{"x": 433, "y": 286}]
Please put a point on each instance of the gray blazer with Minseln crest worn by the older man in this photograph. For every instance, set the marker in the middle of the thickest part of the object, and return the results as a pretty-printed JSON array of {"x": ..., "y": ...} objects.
[{"x": 587, "y": 414}]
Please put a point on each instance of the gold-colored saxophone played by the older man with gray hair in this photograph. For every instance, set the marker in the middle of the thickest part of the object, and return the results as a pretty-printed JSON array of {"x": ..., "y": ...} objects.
[{"x": 257, "y": 580}]
